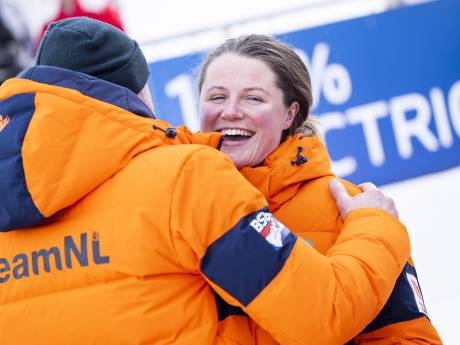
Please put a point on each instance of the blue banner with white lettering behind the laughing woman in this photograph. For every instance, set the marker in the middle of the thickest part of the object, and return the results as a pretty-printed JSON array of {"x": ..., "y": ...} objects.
[{"x": 386, "y": 90}]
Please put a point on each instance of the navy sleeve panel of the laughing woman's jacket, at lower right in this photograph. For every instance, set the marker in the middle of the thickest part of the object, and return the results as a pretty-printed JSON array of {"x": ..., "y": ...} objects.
[{"x": 401, "y": 306}]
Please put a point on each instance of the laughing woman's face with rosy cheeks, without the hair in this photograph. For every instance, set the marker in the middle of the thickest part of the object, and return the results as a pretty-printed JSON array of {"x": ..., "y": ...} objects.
[{"x": 240, "y": 99}]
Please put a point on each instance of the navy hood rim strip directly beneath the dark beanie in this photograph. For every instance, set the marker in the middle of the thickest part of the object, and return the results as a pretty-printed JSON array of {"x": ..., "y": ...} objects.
[{"x": 89, "y": 86}]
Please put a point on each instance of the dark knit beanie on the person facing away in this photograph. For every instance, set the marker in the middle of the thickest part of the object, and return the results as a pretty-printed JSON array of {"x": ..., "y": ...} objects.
[{"x": 96, "y": 48}]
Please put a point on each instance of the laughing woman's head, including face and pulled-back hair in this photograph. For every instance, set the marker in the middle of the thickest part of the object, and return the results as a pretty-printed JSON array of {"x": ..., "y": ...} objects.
[{"x": 252, "y": 95}]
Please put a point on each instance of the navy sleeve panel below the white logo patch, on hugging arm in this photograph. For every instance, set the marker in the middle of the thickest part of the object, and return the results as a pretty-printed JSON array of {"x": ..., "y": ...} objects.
[{"x": 243, "y": 262}]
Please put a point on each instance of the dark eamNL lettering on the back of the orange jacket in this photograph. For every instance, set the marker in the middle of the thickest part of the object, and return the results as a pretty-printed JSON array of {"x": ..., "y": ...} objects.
[{"x": 46, "y": 260}]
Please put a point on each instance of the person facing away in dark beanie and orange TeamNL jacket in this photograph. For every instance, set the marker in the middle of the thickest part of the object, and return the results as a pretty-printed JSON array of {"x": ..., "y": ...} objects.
[{"x": 115, "y": 232}]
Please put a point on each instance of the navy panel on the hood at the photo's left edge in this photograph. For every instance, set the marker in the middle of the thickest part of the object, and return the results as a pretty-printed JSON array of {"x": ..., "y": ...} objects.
[{"x": 17, "y": 209}]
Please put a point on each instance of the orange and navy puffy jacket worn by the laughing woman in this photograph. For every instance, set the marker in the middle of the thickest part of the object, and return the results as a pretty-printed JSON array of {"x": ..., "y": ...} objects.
[{"x": 298, "y": 195}]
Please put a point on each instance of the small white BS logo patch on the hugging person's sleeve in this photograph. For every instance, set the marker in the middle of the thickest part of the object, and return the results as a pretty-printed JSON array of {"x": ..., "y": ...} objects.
[{"x": 270, "y": 228}]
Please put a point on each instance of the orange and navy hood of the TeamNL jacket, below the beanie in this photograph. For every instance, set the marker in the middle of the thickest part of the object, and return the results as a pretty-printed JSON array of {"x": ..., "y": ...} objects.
[{"x": 62, "y": 134}]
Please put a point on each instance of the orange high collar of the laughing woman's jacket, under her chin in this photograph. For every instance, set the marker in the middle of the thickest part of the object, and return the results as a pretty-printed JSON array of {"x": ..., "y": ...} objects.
[{"x": 296, "y": 161}]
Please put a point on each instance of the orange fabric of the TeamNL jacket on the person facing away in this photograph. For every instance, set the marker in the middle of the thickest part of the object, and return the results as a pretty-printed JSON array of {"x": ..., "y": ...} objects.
[{"x": 131, "y": 216}]
